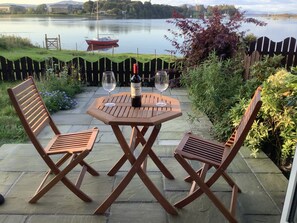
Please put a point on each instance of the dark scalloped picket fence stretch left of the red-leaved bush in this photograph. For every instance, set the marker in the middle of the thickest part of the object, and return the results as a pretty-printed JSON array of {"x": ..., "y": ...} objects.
[{"x": 88, "y": 72}]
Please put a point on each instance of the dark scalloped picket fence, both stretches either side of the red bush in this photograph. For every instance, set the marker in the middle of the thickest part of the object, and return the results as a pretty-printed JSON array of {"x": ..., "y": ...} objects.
[{"x": 91, "y": 72}]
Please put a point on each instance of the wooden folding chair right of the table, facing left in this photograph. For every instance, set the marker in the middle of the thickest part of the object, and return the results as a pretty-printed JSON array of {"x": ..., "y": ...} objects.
[{"x": 216, "y": 155}]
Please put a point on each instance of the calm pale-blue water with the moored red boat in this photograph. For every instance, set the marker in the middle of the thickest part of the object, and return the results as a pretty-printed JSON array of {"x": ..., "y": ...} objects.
[{"x": 142, "y": 36}]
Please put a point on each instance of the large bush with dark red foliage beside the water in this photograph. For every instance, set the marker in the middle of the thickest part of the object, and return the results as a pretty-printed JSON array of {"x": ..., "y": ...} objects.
[{"x": 219, "y": 33}]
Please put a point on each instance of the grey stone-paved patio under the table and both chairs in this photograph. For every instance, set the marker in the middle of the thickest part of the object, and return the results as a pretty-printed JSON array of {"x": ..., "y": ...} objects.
[{"x": 21, "y": 170}]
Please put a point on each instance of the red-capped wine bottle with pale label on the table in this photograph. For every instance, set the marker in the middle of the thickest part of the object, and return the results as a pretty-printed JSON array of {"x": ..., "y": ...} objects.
[{"x": 135, "y": 87}]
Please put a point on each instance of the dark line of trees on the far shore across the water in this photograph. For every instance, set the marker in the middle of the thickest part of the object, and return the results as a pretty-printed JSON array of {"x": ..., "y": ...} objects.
[{"x": 129, "y": 9}]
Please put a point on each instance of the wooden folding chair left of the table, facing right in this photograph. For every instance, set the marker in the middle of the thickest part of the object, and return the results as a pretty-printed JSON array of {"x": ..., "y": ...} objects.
[{"x": 72, "y": 147}]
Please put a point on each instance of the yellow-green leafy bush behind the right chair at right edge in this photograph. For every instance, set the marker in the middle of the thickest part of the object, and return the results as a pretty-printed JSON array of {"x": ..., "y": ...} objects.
[{"x": 275, "y": 131}]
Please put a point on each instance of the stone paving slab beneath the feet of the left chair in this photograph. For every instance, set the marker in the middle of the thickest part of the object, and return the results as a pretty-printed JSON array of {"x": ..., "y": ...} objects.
[{"x": 59, "y": 200}]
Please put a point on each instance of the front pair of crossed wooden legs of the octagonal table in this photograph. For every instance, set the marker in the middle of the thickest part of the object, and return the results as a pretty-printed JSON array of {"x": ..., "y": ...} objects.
[{"x": 136, "y": 169}]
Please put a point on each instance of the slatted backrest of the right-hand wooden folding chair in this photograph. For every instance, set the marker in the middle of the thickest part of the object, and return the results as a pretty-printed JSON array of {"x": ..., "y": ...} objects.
[{"x": 237, "y": 138}]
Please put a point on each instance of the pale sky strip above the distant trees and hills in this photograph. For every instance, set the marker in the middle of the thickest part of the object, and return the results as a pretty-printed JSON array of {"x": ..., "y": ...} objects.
[{"x": 271, "y": 6}]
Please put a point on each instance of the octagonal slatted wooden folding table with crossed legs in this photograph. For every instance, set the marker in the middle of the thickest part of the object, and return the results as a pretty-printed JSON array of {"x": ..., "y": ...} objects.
[{"x": 140, "y": 120}]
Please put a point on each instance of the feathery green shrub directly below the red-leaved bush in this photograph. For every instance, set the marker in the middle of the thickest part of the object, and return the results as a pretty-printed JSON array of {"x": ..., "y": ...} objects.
[{"x": 212, "y": 86}]
